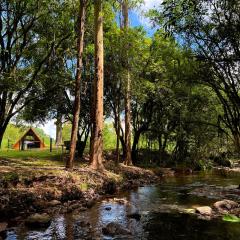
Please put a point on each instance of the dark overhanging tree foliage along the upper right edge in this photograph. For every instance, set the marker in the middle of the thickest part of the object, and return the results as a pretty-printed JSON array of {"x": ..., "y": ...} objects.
[{"x": 206, "y": 28}]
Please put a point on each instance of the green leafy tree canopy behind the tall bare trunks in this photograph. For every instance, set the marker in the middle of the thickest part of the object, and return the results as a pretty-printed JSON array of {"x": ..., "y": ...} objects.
[{"x": 177, "y": 116}]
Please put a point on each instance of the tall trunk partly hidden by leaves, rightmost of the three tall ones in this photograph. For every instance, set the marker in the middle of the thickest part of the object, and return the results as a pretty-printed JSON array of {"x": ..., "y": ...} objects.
[{"x": 128, "y": 158}]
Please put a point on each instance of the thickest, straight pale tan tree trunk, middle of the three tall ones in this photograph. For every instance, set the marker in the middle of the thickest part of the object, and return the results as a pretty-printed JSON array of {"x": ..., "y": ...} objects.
[{"x": 96, "y": 154}]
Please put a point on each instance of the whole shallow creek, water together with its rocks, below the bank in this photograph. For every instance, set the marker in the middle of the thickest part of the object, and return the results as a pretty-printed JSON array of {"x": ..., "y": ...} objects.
[{"x": 147, "y": 212}]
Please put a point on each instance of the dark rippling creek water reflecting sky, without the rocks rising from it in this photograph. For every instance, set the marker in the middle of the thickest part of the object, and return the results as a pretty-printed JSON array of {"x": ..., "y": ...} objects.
[{"x": 159, "y": 207}]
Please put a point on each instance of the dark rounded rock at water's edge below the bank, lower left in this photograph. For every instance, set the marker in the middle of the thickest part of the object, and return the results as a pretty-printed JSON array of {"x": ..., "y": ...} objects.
[{"x": 38, "y": 220}]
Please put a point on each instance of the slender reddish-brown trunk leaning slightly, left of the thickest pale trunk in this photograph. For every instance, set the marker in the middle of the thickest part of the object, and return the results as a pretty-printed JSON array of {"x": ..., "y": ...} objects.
[{"x": 80, "y": 46}]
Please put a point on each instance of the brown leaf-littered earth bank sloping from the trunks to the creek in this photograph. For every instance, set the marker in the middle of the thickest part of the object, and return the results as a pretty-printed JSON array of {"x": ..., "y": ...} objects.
[{"x": 27, "y": 190}]
